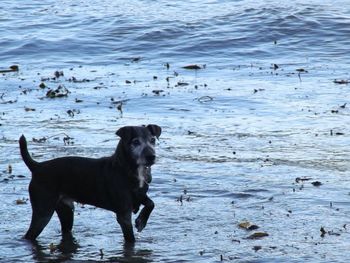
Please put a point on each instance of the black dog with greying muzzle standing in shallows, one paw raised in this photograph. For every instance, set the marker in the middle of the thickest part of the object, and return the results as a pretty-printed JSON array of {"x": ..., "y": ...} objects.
[{"x": 118, "y": 183}]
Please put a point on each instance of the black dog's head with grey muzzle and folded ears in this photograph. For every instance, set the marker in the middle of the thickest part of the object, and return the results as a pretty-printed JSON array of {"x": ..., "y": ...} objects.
[{"x": 139, "y": 146}]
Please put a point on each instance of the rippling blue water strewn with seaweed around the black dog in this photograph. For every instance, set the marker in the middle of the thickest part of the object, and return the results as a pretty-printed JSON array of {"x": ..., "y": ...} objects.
[{"x": 242, "y": 139}]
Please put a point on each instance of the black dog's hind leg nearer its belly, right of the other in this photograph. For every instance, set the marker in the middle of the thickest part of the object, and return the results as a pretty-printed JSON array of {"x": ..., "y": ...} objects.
[{"x": 65, "y": 212}]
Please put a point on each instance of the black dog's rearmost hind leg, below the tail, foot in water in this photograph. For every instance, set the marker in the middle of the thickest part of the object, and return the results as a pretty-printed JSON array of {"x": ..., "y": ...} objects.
[{"x": 43, "y": 206}]
